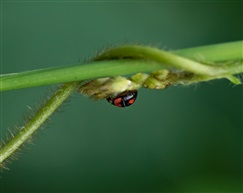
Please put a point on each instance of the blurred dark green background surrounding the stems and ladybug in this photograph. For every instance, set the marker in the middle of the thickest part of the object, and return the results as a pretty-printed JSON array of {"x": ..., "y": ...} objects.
[{"x": 182, "y": 139}]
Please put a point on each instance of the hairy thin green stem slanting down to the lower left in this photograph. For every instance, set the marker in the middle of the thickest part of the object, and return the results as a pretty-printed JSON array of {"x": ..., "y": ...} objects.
[{"x": 40, "y": 117}]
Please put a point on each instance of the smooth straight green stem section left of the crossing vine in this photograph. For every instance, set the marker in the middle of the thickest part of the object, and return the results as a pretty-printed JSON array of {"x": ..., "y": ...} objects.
[{"x": 74, "y": 73}]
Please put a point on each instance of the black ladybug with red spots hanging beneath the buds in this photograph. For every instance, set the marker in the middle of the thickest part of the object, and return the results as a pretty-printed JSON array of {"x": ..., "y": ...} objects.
[{"x": 123, "y": 99}]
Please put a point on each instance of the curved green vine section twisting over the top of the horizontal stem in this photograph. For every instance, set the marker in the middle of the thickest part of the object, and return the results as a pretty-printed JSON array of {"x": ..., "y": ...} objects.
[{"x": 169, "y": 60}]
